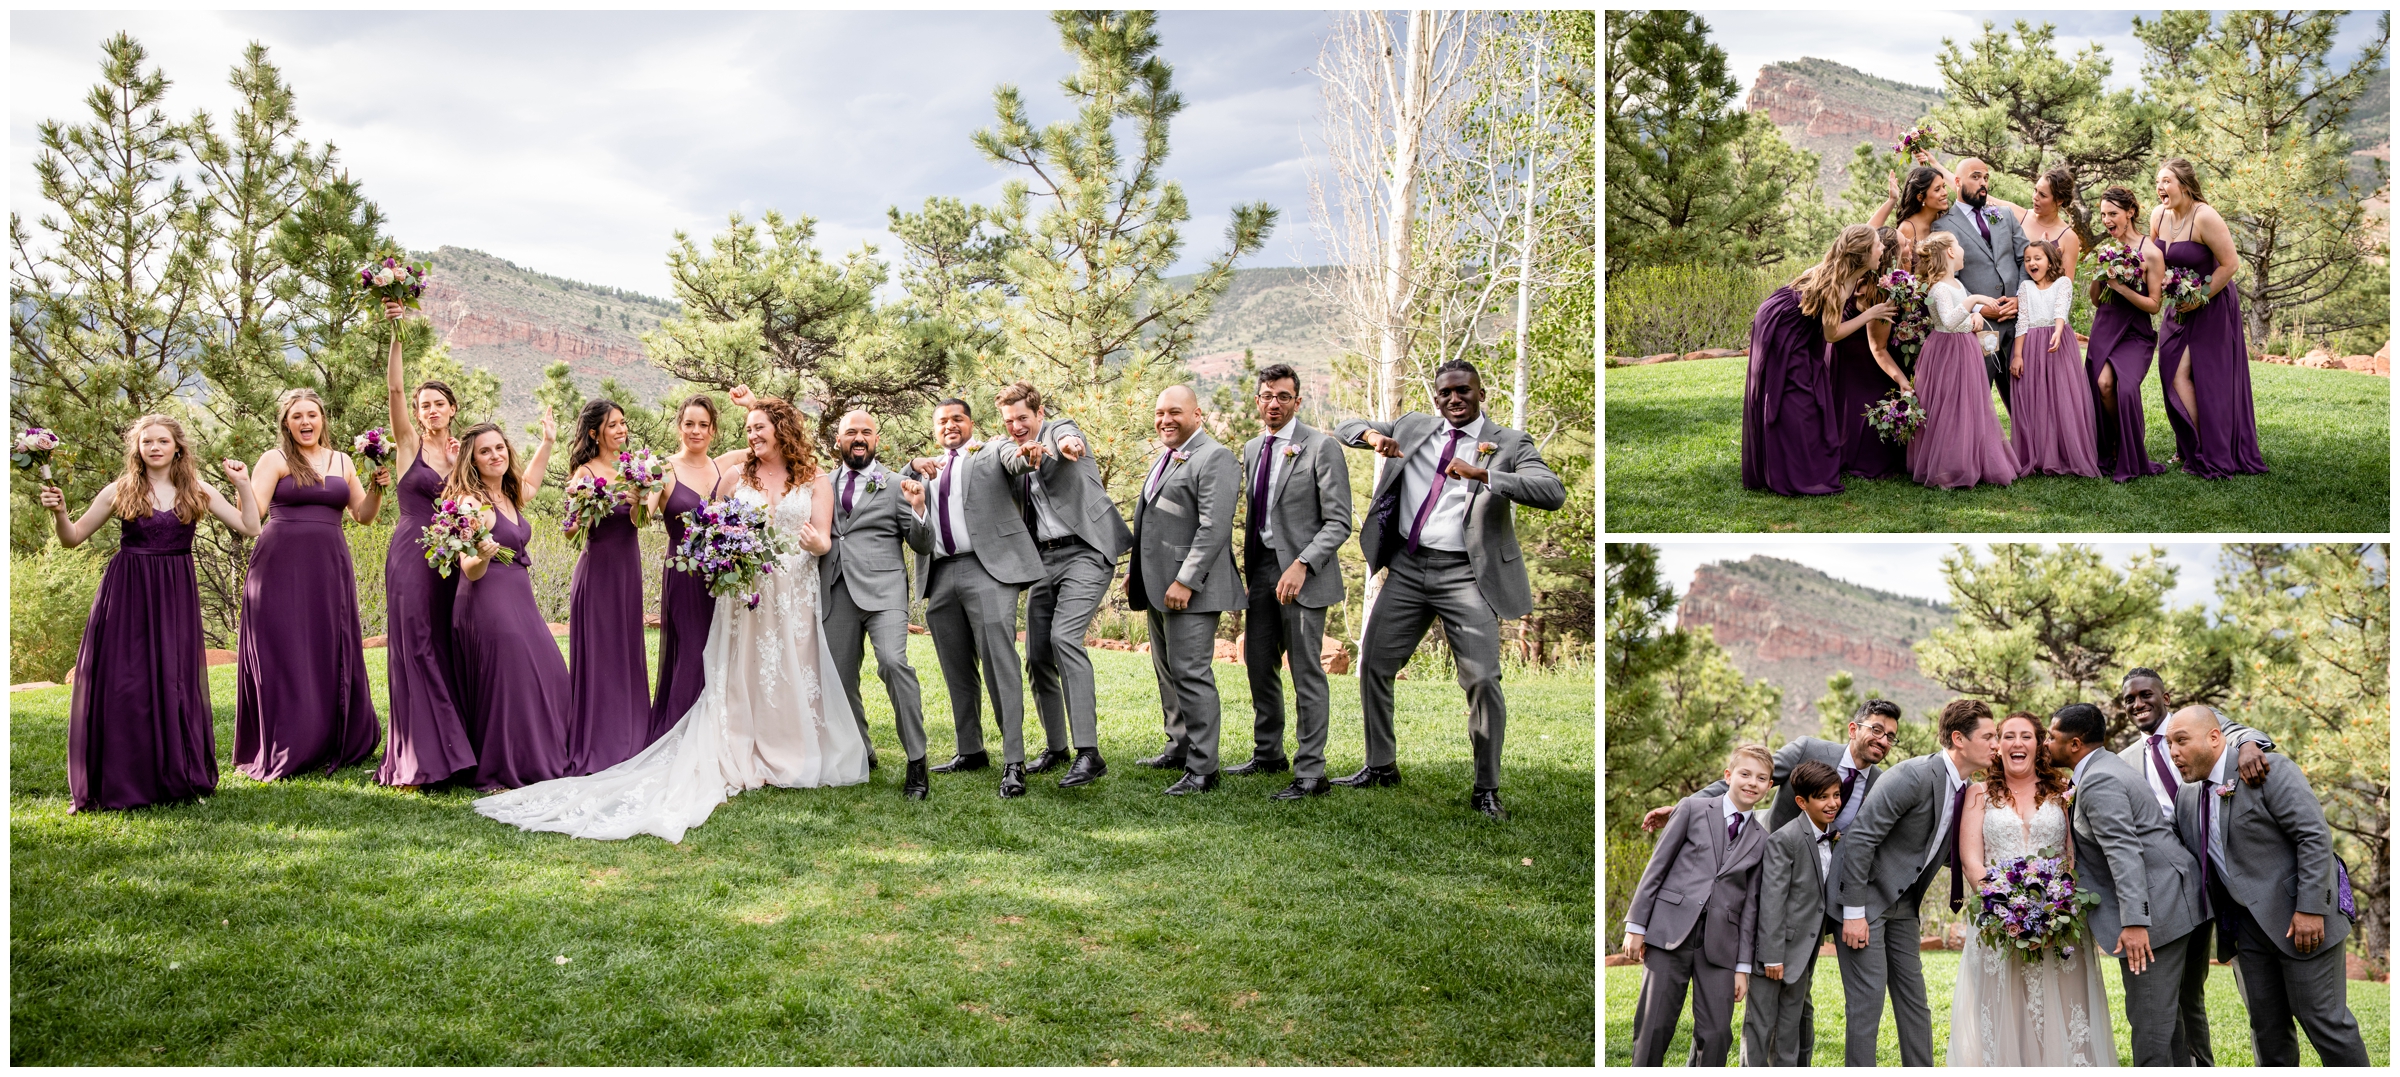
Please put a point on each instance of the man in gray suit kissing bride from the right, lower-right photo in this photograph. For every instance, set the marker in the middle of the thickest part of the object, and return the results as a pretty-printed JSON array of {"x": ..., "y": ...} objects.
[{"x": 2144, "y": 877}]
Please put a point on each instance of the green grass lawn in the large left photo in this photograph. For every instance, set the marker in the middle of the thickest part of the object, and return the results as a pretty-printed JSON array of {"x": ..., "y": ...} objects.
[{"x": 332, "y": 922}]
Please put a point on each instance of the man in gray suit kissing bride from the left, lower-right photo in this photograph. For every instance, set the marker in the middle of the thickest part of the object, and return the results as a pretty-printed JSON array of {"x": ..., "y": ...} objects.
[{"x": 1904, "y": 831}]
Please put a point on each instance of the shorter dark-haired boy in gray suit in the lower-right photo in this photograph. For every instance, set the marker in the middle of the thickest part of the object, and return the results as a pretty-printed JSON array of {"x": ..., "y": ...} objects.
[{"x": 1794, "y": 884}]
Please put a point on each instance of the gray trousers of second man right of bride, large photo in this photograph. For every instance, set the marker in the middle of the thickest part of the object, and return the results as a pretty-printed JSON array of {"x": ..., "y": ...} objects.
[{"x": 976, "y": 625}]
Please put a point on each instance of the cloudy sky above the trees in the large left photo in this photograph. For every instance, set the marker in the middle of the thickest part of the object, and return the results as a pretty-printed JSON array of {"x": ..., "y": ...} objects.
[{"x": 577, "y": 143}]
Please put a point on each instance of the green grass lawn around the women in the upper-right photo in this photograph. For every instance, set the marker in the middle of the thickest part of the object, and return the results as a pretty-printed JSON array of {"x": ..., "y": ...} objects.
[{"x": 1676, "y": 464}]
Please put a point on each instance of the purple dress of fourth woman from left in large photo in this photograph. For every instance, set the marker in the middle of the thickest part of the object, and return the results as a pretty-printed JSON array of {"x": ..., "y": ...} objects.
[{"x": 510, "y": 670}]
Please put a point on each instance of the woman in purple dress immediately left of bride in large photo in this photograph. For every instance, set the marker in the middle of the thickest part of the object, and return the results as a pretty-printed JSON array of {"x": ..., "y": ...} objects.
[{"x": 685, "y": 606}]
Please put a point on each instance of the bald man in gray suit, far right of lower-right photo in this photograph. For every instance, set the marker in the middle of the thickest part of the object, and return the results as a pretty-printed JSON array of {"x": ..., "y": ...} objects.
[{"x": 2279, "y": 894}]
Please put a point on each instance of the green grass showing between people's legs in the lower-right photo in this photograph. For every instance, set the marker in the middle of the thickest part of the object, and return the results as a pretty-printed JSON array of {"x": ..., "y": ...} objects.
[{"x": 2228, "y": 1023}]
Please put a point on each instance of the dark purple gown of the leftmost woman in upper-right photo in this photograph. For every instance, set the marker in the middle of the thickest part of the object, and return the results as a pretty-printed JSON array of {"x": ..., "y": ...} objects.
[{"x": 1792, "y": 433}]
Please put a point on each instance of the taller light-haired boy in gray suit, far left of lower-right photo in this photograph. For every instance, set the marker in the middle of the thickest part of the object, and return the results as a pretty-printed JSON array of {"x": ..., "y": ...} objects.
[{"x": 1698, "y": 915}]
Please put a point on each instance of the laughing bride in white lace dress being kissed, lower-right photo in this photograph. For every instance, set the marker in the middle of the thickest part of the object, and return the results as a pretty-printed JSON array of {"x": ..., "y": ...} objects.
[{"x": 2005, "y": 1009}]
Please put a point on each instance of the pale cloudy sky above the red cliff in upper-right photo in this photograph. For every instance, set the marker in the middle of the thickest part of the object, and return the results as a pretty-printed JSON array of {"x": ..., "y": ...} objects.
[{"x": 1904, "y": 49}]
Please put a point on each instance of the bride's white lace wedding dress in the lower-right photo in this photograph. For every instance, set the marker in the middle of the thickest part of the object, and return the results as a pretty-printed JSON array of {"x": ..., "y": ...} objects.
[{"x": 2008, "y": 1011}]
